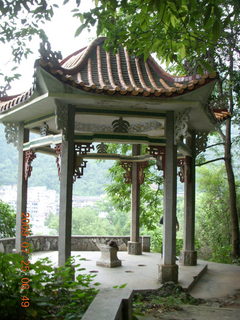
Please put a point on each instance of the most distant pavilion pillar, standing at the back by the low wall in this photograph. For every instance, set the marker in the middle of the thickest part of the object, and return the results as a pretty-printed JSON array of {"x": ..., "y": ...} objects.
[{"x": 134, "y": 245}]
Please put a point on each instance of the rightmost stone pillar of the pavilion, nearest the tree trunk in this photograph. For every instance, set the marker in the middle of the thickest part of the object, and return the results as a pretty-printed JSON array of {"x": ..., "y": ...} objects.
[{"x": 189, "y": 255}]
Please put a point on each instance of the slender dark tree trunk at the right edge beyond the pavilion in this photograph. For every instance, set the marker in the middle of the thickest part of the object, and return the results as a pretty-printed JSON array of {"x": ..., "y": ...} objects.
[{"x": 232, "y": 192}]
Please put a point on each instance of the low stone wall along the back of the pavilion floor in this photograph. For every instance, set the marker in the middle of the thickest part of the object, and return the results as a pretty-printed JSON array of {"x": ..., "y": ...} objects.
[{"x": 79, "y": 243}]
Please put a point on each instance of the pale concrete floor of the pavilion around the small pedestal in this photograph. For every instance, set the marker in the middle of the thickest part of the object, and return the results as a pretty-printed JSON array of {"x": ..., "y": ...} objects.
[{"x": 138, "y": 272}]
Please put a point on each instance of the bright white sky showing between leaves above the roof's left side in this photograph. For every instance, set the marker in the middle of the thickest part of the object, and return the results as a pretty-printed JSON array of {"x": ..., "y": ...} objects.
[{"x": 60, "y": 31}]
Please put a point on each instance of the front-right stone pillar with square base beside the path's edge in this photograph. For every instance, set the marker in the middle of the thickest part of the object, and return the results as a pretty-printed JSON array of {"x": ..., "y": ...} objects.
[{"x": 169, "y": 269}]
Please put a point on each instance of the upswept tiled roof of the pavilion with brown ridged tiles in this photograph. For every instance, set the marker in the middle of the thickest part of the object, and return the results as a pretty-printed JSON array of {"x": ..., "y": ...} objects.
[{"x": 96, "y": 70}]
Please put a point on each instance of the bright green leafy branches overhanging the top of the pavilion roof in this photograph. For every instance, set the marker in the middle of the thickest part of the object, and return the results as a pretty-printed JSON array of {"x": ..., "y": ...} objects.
[{"x": 172, "y": 29}]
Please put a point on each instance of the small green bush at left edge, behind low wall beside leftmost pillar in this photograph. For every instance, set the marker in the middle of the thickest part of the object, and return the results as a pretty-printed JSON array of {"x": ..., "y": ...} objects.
[{"x": 7, "y": 221}]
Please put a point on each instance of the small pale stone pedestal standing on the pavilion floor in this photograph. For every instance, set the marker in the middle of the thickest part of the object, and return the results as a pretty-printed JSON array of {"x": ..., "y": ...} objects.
[{"x": 108, "y": 257}]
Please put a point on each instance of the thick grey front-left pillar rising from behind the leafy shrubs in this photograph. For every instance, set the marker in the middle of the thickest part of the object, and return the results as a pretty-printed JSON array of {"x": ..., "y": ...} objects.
[{"x": 66, "y": 185}]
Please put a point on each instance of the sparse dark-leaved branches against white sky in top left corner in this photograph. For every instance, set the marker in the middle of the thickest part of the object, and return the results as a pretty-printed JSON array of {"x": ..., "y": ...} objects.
[{"x": 20, "y": 23}]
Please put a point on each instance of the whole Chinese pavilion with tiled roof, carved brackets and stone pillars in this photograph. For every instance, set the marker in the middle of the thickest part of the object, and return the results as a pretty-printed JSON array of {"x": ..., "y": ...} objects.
[{"x": 98, "y": 96}]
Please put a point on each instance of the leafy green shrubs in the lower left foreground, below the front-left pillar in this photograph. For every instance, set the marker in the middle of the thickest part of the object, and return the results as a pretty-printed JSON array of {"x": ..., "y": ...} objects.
[{"x": 53, "y": 294}]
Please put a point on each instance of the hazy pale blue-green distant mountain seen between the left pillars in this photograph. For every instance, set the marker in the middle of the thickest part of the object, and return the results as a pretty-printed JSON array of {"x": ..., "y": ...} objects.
[{"x": 45, "y": 171}]
